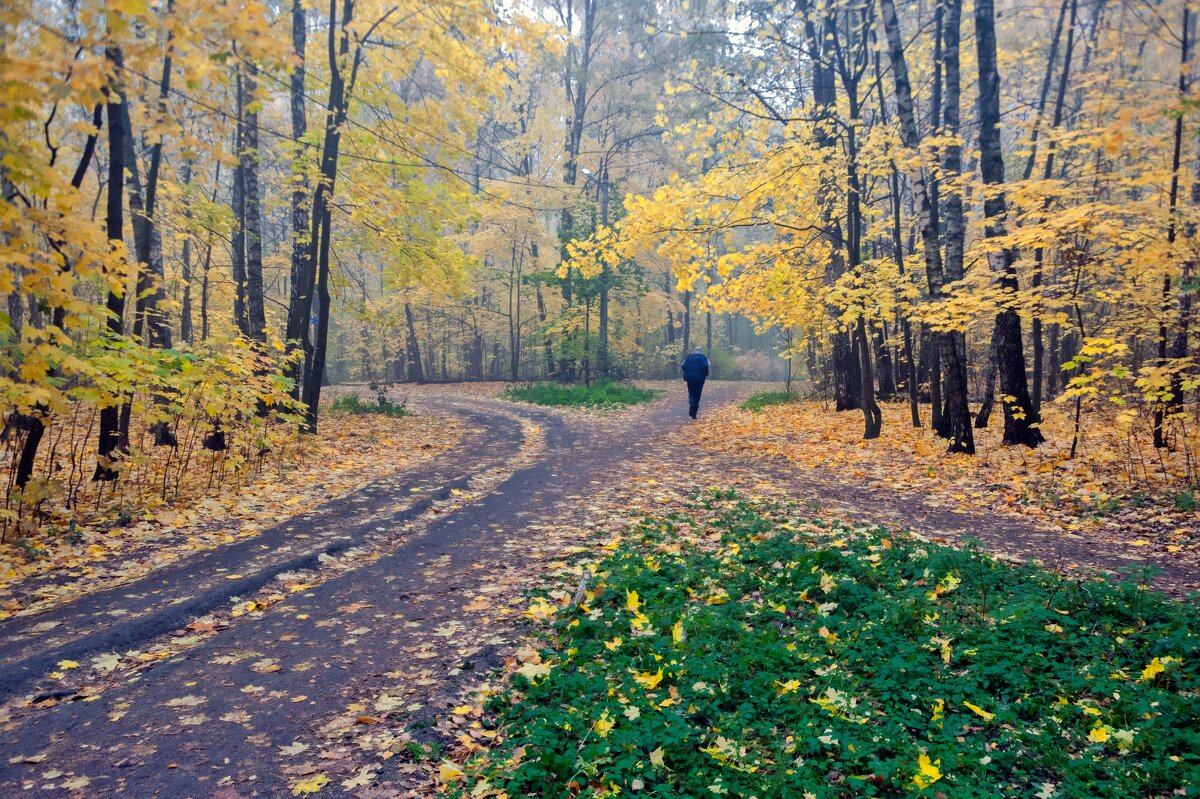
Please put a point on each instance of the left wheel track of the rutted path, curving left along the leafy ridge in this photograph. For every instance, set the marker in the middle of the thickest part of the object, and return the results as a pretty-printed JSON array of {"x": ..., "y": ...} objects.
[{"x": 167, "y": 599}]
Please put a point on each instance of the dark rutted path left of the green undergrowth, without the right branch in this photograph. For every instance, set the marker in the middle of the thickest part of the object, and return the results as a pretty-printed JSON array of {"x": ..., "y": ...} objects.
[{"x": 227, "y": 716}]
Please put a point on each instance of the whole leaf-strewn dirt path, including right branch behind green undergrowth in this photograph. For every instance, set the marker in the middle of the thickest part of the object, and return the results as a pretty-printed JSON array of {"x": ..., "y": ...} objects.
[{"x": 332, "y": 652}]
